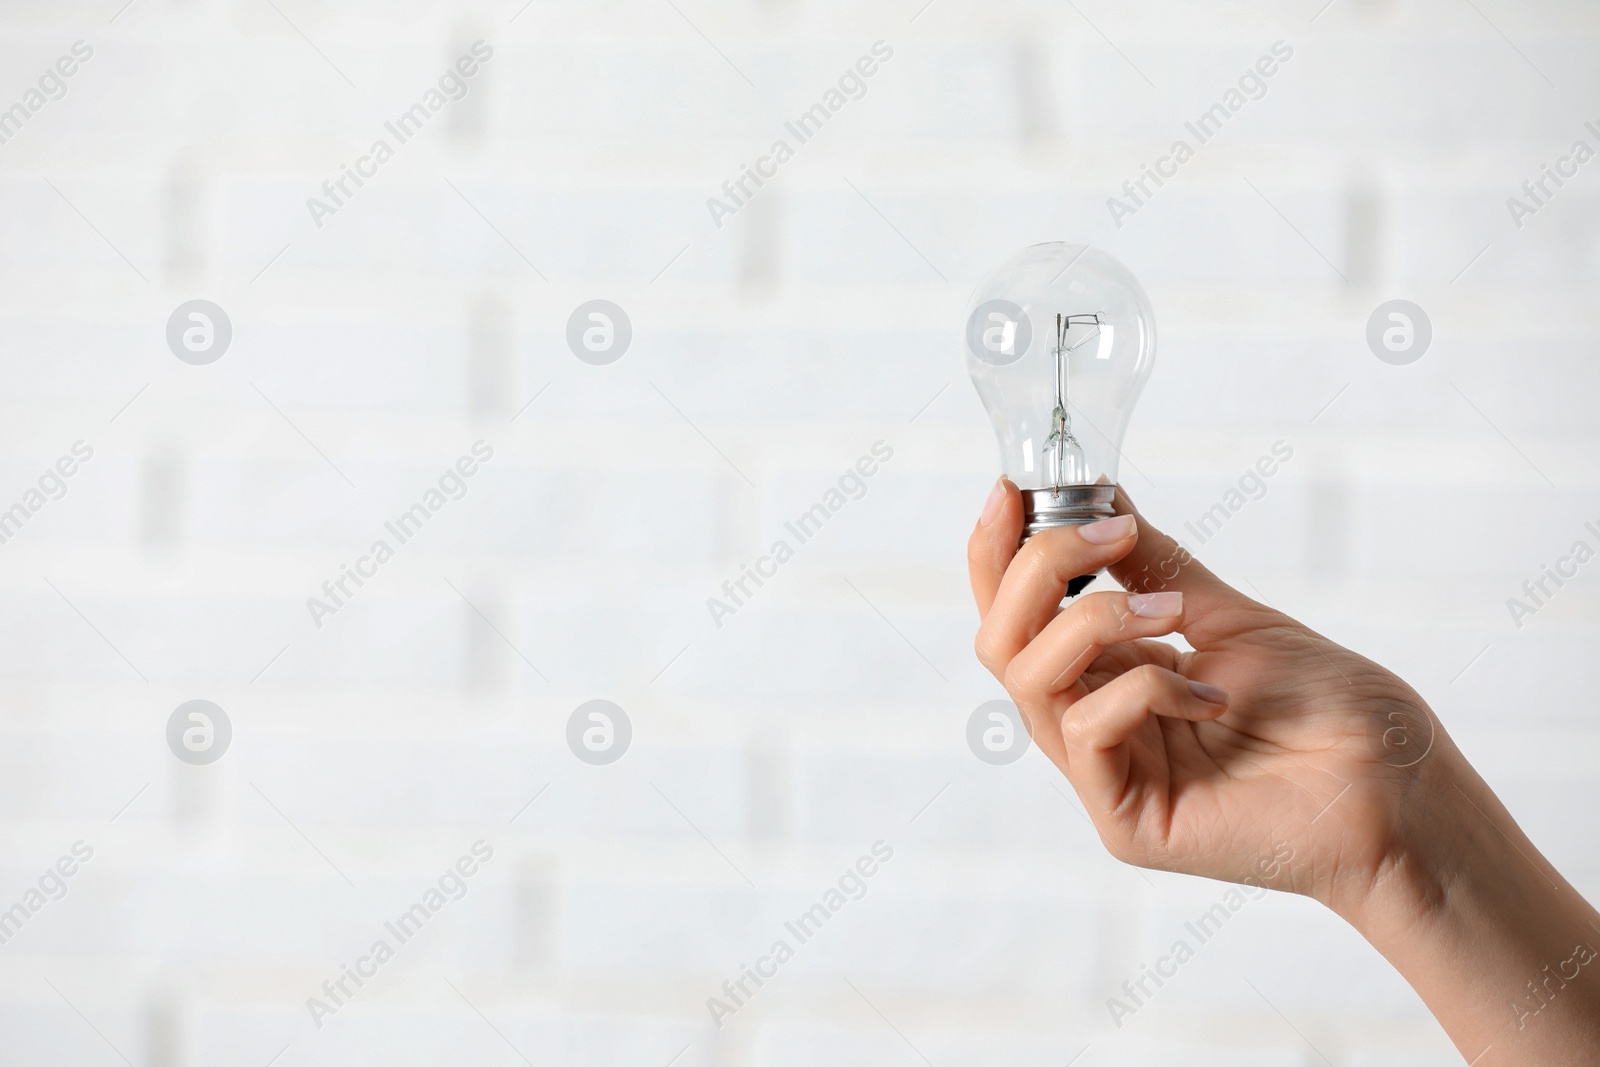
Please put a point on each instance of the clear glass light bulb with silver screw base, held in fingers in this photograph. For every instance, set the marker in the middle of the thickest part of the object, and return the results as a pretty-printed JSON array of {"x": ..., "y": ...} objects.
[{"x": 1060, "y": 342}]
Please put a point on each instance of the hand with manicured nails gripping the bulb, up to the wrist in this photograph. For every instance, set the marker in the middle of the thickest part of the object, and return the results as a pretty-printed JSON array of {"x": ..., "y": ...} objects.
[{"x": 1217, "y": 762}]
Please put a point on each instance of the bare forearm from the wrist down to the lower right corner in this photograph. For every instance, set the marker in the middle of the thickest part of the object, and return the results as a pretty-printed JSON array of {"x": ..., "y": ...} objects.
[{"x": 1503, "y": 951}]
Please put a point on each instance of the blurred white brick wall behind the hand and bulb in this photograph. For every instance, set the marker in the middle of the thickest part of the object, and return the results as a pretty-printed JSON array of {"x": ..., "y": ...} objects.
[{"x": 775, "y": 749}]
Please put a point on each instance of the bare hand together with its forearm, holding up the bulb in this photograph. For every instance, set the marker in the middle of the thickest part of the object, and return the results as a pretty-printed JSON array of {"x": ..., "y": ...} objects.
[{"x": 1270, "y": 735}]
